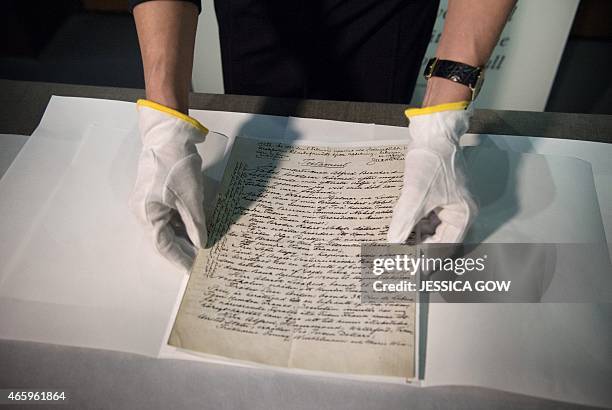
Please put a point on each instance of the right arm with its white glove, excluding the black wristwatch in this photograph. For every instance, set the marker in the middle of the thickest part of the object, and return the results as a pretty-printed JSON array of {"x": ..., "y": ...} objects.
[{"x": 434, "y": 170}]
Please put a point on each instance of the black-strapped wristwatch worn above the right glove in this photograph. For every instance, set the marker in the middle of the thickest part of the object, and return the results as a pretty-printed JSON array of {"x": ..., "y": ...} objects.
[{"x": 470, "y": 76}]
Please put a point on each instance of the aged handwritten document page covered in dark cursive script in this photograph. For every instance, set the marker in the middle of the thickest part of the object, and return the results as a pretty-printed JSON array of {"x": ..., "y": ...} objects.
[{"x": 279, "y": 283}]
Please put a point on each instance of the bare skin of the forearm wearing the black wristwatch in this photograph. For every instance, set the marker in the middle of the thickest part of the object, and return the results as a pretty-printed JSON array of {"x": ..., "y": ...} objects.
[{"x": 471, "y": 30}]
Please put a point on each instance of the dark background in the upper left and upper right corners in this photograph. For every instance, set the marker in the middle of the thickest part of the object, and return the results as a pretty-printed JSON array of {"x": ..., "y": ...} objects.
[{"x": 94, "y": 42}]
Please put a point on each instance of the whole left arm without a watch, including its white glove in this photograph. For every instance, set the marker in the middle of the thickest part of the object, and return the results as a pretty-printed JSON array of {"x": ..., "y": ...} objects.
[{"x": 169, "y": 177}]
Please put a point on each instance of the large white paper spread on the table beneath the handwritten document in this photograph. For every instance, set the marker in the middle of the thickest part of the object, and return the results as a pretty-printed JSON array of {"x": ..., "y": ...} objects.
[{"x": 76, "y": 269}]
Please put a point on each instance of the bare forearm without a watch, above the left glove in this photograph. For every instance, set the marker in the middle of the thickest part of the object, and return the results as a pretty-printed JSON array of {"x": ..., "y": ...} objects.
[{"x": 166, "y": 34}]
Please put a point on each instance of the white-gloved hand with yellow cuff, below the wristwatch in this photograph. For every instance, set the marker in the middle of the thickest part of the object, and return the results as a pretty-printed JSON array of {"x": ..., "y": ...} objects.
[{"x": 434, "y": 175}]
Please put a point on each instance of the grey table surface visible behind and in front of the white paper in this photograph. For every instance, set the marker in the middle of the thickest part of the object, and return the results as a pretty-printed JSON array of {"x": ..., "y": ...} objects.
[{"x": 104, "y": 379}]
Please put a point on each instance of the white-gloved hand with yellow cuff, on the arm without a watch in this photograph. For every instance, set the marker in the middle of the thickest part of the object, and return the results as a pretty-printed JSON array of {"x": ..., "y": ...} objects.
[{"x": 169, "y": 180}]
